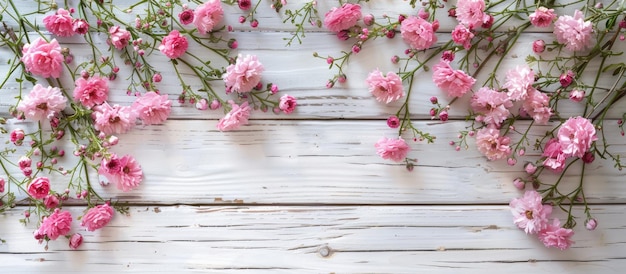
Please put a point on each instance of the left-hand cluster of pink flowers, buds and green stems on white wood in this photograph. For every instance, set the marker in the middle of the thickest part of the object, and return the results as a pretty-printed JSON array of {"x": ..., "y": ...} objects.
[{"x": 62, "y": 102}]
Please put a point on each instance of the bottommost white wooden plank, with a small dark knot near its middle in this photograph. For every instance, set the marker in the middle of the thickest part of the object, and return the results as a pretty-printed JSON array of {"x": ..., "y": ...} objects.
[{"x": 336, "y": 239}]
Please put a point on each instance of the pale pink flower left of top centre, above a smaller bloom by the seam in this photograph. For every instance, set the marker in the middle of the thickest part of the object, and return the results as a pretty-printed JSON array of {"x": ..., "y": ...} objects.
[{"x": 244, "y": 74}]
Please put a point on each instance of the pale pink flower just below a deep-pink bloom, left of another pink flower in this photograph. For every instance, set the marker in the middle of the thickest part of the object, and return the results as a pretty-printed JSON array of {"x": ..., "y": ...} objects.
[{"x": 113, "y": 119}]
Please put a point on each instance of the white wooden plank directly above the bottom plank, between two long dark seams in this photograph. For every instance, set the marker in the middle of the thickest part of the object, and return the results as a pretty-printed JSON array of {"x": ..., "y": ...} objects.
[{"x": 190, "y": 162}]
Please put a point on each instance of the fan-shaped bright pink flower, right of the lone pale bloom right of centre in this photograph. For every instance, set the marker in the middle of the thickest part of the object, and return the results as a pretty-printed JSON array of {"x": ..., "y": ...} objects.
[{"x": 454, "y": 82}]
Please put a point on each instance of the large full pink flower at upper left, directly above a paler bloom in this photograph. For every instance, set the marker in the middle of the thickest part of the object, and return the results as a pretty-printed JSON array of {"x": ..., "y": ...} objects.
[{"x": 42, "y": 58}]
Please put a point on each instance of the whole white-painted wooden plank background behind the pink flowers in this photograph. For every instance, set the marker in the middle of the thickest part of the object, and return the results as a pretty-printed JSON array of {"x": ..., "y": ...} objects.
[{"x": 307, "y": 193}]
